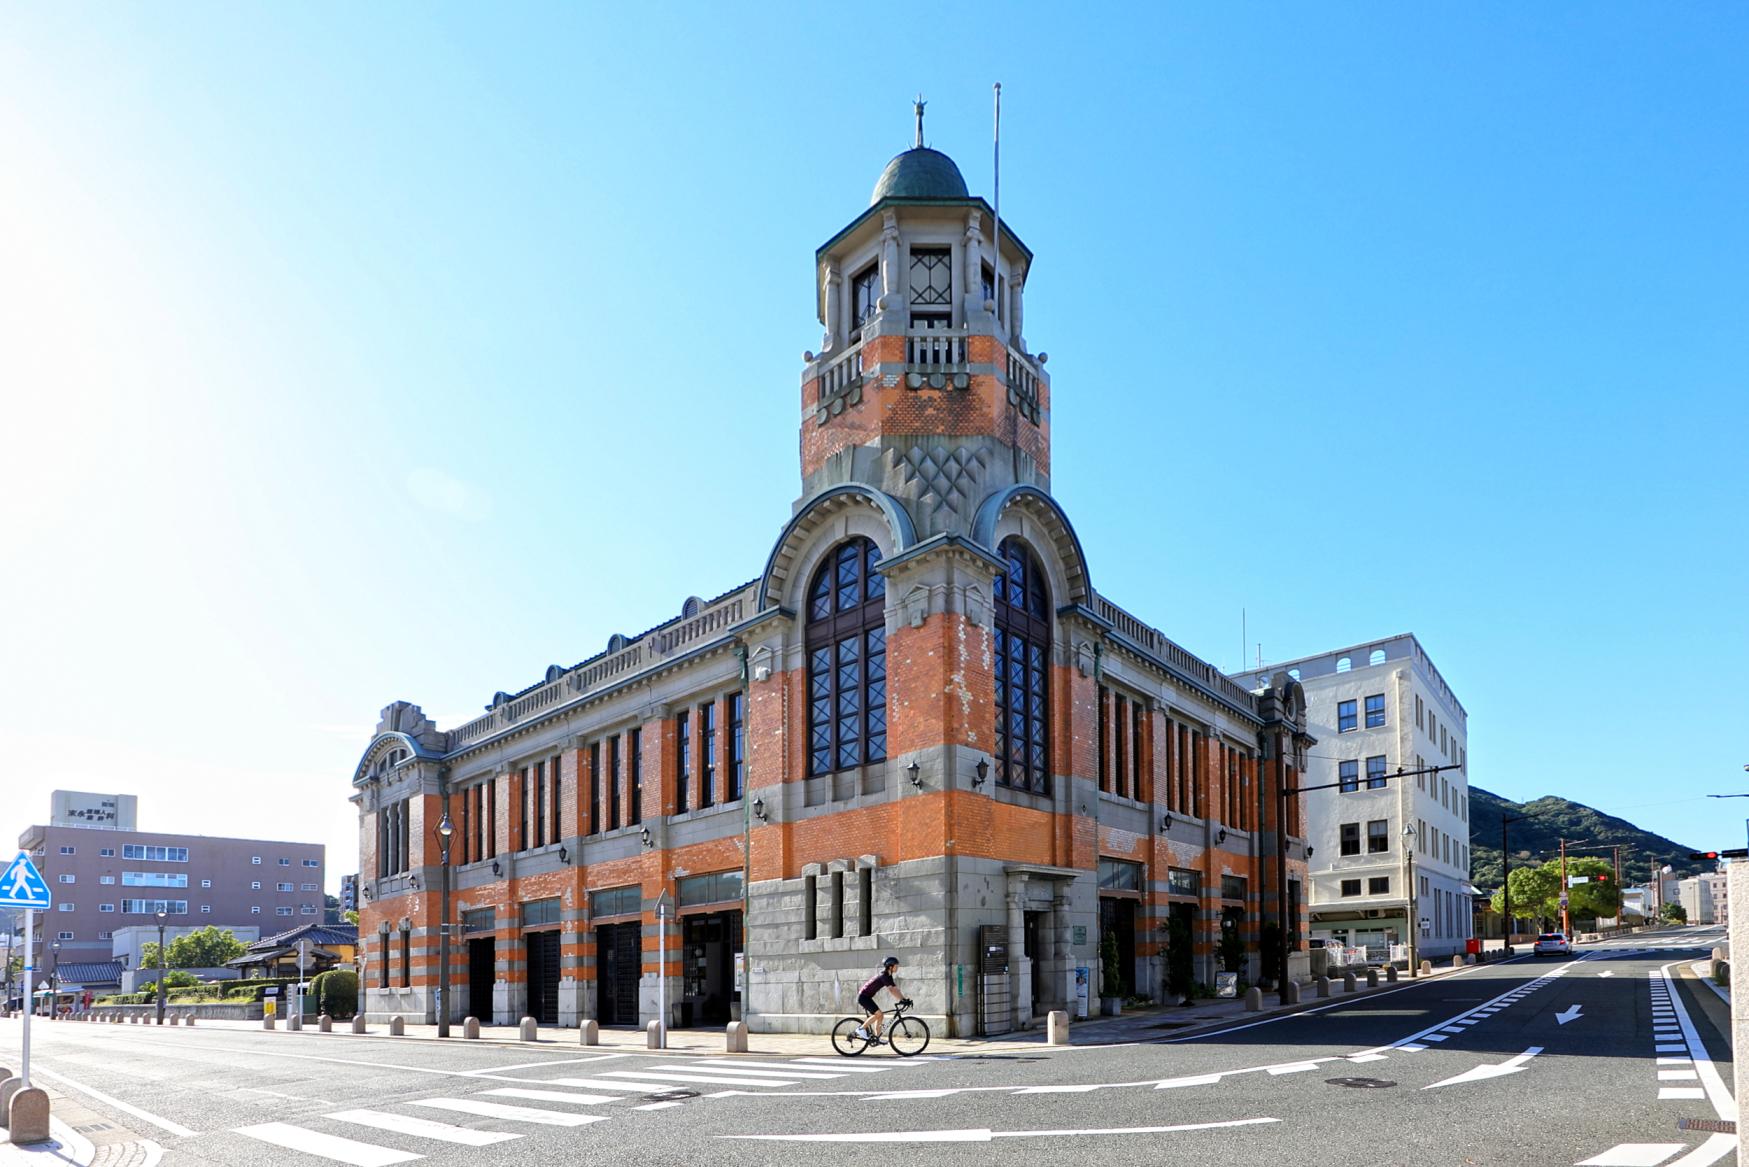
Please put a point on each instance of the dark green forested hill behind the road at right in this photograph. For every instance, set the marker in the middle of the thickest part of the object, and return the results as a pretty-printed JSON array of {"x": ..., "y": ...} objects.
[{"x": 1547, "y": 821}]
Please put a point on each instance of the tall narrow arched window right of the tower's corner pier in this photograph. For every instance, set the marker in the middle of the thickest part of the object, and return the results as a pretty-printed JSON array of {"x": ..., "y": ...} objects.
[{"x": 1022, "y": 671}]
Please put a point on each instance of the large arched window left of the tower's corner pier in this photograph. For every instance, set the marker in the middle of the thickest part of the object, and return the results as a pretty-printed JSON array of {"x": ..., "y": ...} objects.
[{"x": 847, "y": 660}]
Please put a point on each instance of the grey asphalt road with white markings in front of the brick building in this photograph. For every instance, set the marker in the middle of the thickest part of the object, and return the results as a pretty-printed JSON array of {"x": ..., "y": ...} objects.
[{"x": 1519, "y": 1063}]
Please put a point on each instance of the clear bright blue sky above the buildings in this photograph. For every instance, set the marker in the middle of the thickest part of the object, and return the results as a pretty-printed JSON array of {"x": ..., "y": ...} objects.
[{"x": 379, "y": 353}]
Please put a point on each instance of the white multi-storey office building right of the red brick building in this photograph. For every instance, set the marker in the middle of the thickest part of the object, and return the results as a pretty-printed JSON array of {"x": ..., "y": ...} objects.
[{"x": 1374, "y": 709}]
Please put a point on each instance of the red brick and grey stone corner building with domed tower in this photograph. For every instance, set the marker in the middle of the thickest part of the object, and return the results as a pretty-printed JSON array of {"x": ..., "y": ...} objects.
[{"x": 921, "y": 730}]
